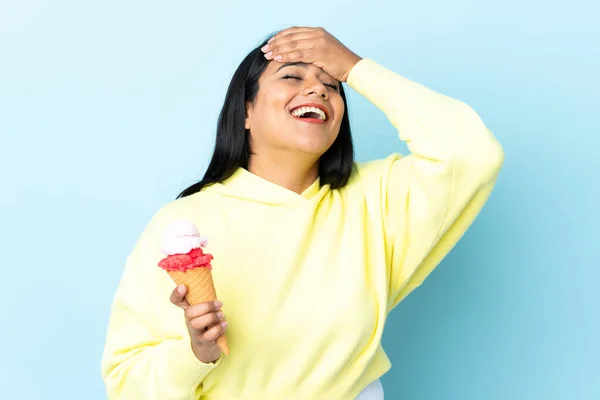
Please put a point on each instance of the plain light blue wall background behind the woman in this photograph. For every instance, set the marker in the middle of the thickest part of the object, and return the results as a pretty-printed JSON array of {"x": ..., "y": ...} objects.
[{"x": 108, "y": 110}]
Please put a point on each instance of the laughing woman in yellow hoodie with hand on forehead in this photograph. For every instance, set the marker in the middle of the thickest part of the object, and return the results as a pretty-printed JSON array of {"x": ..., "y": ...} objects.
[{"x": 311, "y": 250}]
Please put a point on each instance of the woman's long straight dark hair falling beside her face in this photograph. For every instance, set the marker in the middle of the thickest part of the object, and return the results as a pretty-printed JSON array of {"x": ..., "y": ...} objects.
[{"x": 232, "y": 146}]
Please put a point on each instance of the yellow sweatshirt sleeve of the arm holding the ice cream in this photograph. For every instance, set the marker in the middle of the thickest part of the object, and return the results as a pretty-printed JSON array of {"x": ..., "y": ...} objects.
[{"x": 148, "y": 354}]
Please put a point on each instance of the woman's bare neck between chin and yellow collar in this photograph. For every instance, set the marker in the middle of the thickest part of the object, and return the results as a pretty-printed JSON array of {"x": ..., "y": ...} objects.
[{"x": 295, "y": 175}]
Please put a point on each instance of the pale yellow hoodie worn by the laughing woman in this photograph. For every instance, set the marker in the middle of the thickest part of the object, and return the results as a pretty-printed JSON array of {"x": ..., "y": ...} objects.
[{"x": 307, "y": 280}]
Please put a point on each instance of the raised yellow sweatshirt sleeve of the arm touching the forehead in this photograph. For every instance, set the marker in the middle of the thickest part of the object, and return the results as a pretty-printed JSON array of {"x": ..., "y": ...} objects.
[{"x": 426, "y": 200}]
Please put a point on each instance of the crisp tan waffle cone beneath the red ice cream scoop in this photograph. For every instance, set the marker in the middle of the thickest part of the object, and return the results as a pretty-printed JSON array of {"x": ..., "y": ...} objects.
[{"x": 200, "y": 289}]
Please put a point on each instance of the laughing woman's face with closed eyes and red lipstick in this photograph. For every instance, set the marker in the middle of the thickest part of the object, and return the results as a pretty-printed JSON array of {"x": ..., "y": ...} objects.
[{"x": 298, "y": 108}]
